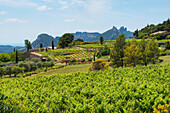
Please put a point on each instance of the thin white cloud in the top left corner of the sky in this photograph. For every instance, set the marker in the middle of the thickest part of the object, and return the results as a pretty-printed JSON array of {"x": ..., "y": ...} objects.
[{"x": 17, "y": 3}]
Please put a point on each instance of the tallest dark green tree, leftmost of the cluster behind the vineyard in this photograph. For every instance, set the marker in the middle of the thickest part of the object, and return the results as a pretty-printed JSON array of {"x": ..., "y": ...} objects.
[{"x": 117, "y": 53}]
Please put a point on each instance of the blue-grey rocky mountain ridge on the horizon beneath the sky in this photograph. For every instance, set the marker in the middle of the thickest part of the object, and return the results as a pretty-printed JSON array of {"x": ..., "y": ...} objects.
[{"x": 110, "y": 34}]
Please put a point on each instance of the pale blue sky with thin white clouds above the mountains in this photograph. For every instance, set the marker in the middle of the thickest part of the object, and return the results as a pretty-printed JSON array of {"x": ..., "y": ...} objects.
[{"x": 26, "y": 19}]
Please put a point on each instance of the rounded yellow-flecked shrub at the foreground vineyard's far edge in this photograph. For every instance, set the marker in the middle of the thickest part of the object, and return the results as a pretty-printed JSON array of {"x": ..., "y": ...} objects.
[{"x": 98, "y": 65}]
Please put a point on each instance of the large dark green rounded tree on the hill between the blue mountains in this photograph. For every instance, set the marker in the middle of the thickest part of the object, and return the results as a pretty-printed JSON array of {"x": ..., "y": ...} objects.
[{"x": 66, "y": 39}]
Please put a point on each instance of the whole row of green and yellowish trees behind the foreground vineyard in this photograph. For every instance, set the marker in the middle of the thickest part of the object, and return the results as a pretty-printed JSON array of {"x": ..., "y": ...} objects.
[{"x": 133, "y": 53}]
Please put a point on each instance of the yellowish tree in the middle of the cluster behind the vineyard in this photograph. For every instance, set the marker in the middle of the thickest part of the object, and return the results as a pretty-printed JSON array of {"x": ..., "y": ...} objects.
[{"x": 132, "y": 54}]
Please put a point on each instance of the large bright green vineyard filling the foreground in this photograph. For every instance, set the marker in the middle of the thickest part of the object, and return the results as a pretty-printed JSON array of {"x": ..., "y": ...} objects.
[{"x": 144, "y": 89}]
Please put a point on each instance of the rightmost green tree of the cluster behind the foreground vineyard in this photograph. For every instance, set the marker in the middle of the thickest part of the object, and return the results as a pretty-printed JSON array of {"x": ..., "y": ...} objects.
[{"x": 152, "y": 51}]
